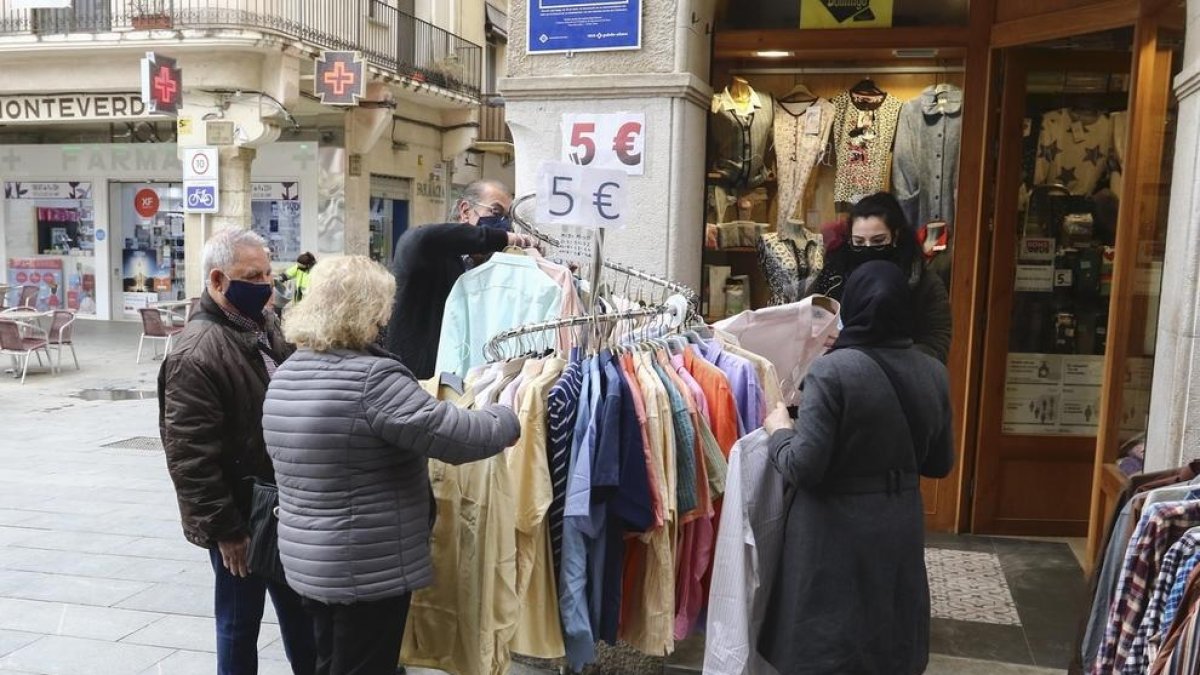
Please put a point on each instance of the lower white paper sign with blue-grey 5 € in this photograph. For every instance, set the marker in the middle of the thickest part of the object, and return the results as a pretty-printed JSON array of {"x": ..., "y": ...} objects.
[{"x": 587, "y": 198}]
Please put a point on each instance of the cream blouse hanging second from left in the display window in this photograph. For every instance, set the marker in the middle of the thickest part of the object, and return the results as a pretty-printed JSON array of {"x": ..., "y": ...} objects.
[{"x": 802, "y": 135}]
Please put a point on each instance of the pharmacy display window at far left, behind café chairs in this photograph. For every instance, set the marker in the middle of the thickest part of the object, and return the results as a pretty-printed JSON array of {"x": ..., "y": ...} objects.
[{"x": 51, "y": 243}]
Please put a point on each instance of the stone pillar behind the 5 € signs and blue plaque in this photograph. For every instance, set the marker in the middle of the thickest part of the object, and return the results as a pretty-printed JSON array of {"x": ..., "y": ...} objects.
[{"x": 668, "y": 81}]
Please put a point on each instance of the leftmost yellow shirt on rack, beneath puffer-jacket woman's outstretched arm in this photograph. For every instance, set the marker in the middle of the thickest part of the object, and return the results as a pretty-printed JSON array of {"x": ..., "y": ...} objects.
[{"x": 465, "y": 622}]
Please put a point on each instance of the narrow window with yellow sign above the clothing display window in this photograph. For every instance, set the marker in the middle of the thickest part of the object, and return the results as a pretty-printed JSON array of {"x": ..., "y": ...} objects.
[{"x": 760, "y": 15}]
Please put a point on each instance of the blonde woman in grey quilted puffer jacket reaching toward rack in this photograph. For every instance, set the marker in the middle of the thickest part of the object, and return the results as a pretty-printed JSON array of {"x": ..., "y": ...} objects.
[{"x": 350, "y": 432}]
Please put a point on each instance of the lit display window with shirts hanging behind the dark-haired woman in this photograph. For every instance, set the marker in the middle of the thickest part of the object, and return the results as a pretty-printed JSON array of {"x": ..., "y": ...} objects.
[{"x": 791, "y": 153}]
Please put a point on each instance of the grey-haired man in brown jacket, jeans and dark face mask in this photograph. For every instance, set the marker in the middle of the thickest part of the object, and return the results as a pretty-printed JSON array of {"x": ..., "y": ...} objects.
[{"x": 212, "y": 390}]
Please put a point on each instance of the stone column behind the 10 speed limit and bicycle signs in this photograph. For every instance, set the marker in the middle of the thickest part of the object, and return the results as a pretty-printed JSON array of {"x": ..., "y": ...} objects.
[{"x": 235, "y": 189}]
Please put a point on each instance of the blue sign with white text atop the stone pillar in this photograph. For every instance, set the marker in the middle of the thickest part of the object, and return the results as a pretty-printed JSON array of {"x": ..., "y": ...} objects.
[{"x": 584, "y": 26}]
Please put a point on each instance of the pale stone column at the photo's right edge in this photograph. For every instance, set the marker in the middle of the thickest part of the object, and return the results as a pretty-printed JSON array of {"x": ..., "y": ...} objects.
[{"x": 1174, "y": 435}]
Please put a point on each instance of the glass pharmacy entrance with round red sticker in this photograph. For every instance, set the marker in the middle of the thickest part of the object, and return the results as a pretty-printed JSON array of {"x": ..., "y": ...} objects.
[{"x": 147, "y": 232}]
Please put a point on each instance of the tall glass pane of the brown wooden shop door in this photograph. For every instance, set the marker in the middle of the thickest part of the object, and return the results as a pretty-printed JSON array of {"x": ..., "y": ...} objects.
[{"x": 1076, "y": 141}]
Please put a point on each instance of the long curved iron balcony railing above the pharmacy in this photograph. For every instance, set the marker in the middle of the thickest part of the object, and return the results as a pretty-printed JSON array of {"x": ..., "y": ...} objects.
[{"x": 389, "y": 38}]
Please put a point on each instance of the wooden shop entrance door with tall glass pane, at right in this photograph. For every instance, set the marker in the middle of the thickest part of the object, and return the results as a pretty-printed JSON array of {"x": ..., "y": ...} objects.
[{"x": 1079, "y": 230}]
